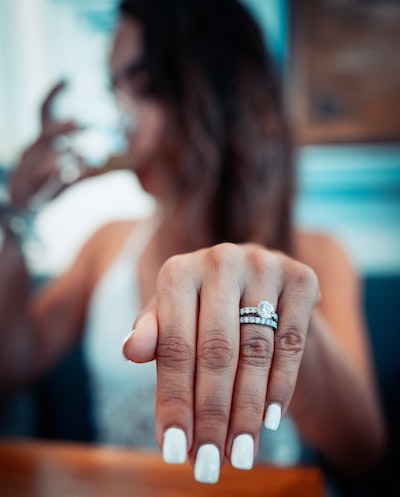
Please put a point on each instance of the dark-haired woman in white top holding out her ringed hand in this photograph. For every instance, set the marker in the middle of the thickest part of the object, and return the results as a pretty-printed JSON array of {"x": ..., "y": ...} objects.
[{"x": 212, "y": 146}]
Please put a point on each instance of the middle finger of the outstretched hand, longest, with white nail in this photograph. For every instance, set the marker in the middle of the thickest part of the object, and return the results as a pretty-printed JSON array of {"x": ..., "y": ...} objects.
[{"x": 217, "y": 356}]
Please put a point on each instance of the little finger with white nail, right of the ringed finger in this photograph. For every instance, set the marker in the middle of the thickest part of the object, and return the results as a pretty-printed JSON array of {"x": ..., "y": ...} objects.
[{"x": 299, "y": 295}]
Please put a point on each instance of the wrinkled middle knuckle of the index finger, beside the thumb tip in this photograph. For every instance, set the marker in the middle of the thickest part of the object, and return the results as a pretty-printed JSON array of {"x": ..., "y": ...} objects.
[{"x": 173, "y": 352}]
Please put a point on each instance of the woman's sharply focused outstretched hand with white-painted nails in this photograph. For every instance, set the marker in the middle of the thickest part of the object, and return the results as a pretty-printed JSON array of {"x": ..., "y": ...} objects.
[{"x": 217, "y": 379}]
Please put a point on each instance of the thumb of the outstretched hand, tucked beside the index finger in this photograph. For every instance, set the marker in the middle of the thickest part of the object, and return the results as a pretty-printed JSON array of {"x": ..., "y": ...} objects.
[{"x": 140, "y": 345}]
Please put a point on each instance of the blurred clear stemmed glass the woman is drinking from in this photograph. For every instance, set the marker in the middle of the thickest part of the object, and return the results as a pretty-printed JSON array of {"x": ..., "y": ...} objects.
[{"x": 97, "y": 146}]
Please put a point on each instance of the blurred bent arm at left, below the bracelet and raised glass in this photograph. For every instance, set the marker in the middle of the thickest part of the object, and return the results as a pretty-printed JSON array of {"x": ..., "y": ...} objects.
[{"x": 38, "y": 327}]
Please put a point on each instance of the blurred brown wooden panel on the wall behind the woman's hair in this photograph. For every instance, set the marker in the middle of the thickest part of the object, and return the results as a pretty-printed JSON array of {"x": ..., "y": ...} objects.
[{"x": 343, "y": 82}]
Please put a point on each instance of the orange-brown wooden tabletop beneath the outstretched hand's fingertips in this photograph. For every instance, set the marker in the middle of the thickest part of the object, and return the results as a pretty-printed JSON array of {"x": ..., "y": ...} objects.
[{"x": 49, "y": 469}]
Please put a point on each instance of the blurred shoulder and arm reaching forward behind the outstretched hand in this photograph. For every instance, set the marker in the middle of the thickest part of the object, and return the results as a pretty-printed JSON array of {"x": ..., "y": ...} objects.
[{"x": 336, "y": 404}]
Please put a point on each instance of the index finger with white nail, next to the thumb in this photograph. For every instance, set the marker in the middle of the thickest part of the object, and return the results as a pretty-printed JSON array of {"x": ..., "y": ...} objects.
[{"x": 177, "y": 301}]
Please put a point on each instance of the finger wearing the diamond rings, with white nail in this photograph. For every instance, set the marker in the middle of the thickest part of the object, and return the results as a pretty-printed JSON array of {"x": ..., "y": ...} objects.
[{"x": 255, "y": 358}]
